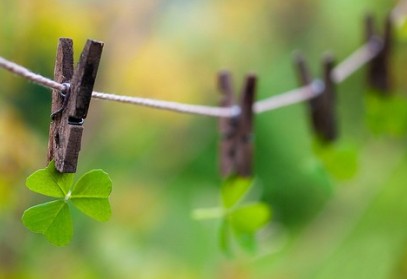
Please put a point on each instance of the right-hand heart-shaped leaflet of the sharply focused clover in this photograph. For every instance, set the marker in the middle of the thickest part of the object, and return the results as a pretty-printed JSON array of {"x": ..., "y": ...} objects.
[{"x": 90, "y": 195}]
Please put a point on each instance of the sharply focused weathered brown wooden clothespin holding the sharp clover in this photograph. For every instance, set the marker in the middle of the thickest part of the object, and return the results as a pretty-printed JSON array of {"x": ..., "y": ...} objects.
[{"x": 70, "y": 108}]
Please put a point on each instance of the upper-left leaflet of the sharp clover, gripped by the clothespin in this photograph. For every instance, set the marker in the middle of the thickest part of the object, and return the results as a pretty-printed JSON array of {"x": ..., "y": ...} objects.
[{"x": 49, "y": 182}]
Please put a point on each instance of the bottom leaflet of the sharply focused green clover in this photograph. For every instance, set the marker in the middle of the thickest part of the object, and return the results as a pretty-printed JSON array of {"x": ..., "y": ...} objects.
[{"x": 52, "y": 219}]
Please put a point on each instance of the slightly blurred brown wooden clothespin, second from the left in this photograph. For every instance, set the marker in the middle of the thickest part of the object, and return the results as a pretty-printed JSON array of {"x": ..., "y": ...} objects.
[{"x": 236, "y": 147}]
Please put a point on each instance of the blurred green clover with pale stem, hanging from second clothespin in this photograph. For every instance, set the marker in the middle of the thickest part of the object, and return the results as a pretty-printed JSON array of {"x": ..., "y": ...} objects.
[{"x": 240, "y": 222}]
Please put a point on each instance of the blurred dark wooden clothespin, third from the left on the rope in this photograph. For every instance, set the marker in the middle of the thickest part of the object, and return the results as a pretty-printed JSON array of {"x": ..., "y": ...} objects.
[{"x": 322, "y": 107}]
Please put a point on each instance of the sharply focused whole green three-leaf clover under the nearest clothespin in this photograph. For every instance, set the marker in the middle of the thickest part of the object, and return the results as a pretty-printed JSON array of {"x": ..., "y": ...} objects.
[{"x": 53, "y": 219}]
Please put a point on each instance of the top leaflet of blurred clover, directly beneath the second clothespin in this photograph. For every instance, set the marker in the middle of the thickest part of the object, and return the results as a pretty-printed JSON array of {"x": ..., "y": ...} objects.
[{"x": 234, "y": 189}]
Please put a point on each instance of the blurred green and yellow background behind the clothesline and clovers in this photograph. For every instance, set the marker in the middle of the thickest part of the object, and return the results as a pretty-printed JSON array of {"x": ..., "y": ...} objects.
[{"x": 339, "y": 210}]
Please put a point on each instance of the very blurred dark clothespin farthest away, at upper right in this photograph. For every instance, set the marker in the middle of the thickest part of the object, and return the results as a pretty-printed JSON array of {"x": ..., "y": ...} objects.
[{"x": 378, "y": 76}]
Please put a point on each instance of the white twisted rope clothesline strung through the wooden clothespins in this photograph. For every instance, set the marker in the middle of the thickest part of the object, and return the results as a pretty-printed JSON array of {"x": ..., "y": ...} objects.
[{"x": 342, "y": 71}]
